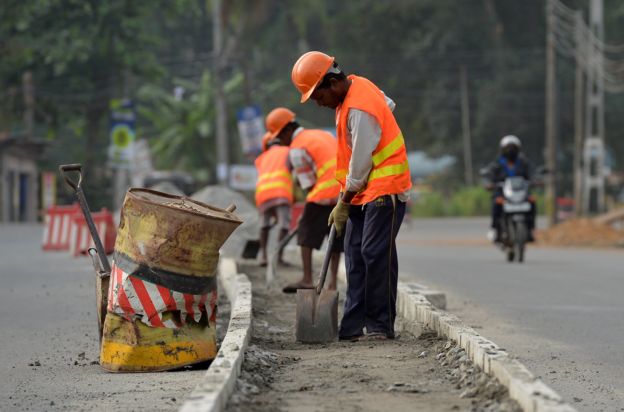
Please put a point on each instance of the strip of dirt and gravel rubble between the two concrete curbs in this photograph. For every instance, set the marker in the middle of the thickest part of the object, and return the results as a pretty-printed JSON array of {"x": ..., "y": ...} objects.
[{"x": 281, "y": 374}]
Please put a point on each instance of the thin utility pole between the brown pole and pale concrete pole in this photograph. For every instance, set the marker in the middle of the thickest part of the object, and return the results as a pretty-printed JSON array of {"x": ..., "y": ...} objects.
[{"x": 578, "y": 115}]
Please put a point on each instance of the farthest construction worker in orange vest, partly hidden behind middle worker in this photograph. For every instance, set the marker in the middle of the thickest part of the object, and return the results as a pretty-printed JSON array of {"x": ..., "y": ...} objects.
[{"x": 274, "y": 193}]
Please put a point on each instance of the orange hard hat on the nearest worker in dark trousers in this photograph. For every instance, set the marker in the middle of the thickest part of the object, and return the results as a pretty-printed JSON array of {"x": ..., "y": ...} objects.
[{"x": 308, "y": 72}]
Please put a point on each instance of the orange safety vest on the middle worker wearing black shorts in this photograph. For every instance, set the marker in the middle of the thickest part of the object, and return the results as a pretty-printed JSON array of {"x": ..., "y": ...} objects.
[{"x": 322, "y": 148}]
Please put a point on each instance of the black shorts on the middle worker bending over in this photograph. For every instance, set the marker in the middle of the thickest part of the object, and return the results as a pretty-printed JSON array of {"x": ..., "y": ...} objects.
[{"x": 313, "y": 227}]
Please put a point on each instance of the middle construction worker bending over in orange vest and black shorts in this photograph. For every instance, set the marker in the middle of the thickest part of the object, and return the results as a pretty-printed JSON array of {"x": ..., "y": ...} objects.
[{"x": 312, "y": 159}]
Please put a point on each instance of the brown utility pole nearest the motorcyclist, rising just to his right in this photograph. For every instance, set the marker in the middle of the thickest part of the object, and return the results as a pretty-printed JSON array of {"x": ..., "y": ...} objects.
[{"x": 551, "y": 110}]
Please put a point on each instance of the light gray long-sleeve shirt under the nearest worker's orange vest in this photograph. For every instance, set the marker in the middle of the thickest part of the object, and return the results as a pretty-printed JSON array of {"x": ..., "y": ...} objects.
[{"x": 363, "y": 136}]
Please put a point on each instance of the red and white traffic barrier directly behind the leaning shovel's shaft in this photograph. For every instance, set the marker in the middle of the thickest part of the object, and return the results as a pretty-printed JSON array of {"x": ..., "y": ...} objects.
[{"x": 80, "y": 238}]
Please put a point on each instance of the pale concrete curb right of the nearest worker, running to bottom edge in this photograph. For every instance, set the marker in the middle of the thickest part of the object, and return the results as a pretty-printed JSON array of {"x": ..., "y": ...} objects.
[{"x": 531, "y": 393}]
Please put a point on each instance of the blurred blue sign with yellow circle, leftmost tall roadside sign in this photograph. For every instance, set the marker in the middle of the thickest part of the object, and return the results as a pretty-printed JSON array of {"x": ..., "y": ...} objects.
[{"x": 122, "y": 133}]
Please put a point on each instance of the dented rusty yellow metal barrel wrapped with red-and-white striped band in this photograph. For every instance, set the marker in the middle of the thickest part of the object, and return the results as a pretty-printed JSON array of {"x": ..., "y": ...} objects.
[{"x": 162, "y": 299}]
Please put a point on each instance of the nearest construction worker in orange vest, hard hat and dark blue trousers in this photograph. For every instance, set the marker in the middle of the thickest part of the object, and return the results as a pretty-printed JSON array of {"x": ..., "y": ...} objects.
[{"x": 374, "y": 176}]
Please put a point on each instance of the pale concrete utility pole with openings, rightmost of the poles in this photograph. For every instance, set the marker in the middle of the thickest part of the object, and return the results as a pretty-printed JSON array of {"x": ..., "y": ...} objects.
[{"x": 593, "y": 150}]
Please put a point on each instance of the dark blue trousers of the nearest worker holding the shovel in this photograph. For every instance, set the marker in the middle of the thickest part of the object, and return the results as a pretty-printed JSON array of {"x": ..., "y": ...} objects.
[{"x": 372, "y": 267}]
